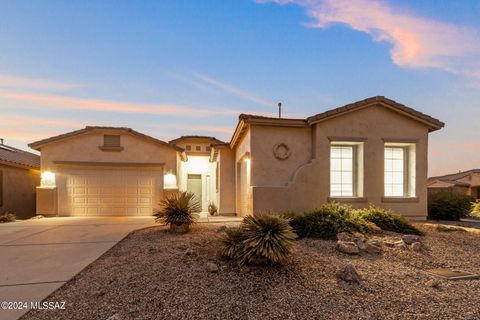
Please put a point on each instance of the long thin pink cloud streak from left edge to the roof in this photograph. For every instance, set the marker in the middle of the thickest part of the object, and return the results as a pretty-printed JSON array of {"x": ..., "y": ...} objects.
[{"x": 71, "y": 103}]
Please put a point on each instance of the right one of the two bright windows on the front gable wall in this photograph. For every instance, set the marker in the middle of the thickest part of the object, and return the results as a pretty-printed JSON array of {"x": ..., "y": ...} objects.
[{"x": 399, "y": 170}]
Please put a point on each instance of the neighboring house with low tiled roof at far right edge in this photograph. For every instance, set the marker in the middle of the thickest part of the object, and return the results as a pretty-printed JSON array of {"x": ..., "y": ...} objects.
[{"x": 466, "y": 182}]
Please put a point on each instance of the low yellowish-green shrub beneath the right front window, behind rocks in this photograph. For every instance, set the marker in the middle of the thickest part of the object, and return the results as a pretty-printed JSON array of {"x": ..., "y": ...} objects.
[{"x": 388, "y": 220}]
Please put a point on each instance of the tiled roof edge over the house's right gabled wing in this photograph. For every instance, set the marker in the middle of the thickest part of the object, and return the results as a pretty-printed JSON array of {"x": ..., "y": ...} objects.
[{"x": 432, "y": 123}]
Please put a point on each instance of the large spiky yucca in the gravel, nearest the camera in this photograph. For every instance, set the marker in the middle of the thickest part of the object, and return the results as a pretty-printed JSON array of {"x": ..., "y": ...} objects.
[{"x": 261, "y": 239}]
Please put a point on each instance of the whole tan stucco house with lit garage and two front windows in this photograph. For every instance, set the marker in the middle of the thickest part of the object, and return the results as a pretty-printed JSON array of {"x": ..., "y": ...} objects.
[{"x": 373, "y": 151}]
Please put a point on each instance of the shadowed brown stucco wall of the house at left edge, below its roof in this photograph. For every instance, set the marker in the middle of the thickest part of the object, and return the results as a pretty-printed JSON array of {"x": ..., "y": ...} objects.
[{"x": 19, "y": 190}]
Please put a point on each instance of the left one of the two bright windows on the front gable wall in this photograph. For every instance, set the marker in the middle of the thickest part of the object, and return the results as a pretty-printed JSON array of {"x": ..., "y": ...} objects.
[{"x": 341, "y": 171}]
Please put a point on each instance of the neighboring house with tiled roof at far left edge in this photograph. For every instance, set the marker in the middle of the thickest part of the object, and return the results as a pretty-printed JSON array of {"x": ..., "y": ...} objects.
[{"x": 19, "y": 175}]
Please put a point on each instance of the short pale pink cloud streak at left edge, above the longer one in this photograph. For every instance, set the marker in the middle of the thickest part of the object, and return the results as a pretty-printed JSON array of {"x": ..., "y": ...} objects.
[{"x": 20, "y": 82}]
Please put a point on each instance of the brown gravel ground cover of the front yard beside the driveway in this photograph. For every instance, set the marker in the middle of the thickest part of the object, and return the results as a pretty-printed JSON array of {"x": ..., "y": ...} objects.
[{"x": 153, "y": 274}]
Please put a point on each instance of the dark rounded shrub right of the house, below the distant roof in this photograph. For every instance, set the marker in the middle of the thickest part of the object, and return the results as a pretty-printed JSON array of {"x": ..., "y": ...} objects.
[{"x": 448, "y": 205}]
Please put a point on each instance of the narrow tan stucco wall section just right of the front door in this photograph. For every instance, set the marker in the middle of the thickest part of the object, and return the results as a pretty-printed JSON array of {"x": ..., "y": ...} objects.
[{"x": 226, "y": 181}]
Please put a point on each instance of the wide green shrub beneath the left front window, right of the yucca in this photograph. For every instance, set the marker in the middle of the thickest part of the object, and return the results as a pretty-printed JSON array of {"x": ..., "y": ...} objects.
[{"x": 327, "y": 221}]
